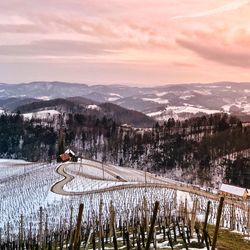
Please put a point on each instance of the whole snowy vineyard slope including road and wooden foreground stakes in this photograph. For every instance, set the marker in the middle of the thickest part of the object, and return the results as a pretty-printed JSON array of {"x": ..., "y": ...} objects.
[{"x": 93, "y": 205}]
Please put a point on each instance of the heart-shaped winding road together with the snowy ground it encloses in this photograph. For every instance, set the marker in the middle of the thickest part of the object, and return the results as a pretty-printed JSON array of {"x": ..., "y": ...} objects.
[{"x": 117, "y": 178}]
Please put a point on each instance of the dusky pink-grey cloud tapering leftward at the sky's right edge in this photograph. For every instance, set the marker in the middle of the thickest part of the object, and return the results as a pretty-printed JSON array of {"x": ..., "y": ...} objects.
[{"x": 220, "y": 47}]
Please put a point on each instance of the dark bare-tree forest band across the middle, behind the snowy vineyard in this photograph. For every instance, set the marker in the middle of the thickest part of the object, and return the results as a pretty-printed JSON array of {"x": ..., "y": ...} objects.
[{"x": 206, "y": 149}]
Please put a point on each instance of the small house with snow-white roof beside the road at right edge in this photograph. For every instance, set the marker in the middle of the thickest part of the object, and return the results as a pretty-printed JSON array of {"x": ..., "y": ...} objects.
[{"x": 234, "y": 191}]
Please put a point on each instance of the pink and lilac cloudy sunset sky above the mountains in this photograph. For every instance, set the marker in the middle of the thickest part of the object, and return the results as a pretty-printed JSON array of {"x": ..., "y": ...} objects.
[{"x": 135, "y": 42}]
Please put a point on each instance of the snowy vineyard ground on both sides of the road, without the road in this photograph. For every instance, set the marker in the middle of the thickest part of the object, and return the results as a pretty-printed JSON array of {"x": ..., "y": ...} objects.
[{"x": 25, "y": 187}]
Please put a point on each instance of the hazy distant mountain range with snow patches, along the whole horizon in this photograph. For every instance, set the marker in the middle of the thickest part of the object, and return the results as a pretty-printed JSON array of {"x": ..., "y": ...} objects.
[{"x": 162, "y": 102}]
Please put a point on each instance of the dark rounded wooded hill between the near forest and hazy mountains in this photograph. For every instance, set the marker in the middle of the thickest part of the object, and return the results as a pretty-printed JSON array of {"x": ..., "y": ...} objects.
[{"x": 80, "y": 105}]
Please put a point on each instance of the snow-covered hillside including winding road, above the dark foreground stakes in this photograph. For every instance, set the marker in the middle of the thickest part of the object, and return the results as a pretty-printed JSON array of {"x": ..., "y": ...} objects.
[{"x": 29, "y": 197}]
